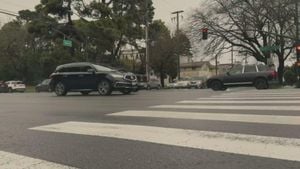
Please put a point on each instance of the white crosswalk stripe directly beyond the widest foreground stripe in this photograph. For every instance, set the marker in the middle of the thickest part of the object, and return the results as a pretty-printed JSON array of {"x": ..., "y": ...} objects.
[{"x": 248, "y": 118}]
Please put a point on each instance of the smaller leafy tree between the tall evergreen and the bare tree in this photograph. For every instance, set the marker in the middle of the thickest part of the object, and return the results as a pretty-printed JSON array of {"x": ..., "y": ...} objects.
[{"x": 164, "y": 49}]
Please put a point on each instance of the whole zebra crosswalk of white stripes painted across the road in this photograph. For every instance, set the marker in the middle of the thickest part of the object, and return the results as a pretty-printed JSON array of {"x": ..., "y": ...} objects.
[{"x": 215, "y": 108}]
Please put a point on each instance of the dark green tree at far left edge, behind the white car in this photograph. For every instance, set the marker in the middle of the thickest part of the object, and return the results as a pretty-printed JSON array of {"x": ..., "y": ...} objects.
[{"x": 18, "y": 60}]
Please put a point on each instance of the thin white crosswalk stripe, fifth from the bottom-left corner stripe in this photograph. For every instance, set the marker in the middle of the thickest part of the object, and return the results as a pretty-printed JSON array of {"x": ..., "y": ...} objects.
[{"x": 240, "y": 102}]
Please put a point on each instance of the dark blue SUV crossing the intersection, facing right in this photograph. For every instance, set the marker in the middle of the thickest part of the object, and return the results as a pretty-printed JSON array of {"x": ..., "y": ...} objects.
[{"x": 87, "y": 77}]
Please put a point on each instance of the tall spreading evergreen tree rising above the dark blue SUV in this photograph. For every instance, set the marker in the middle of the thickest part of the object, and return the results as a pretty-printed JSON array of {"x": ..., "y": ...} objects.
[{"x": 103, "y": 28}]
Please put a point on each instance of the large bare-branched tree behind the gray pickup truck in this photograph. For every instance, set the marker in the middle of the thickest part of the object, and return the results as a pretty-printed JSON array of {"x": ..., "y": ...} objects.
[{"x": 250, "y": 26}]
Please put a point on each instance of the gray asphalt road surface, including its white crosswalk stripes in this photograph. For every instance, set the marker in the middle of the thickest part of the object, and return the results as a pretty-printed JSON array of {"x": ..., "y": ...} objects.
[{"x": 160, "y": 129}]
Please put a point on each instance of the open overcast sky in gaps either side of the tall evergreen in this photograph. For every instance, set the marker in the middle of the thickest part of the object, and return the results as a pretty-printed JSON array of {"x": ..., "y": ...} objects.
[{"x": 163, "y": 8}]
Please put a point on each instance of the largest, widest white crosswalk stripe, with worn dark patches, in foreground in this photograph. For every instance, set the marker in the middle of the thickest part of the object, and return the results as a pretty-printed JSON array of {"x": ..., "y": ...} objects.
[{"x": 252, "y": 145}]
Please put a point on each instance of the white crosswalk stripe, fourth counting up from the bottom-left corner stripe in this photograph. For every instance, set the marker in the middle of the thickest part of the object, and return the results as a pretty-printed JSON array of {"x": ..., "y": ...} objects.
[{"x": 229, "y": 107}]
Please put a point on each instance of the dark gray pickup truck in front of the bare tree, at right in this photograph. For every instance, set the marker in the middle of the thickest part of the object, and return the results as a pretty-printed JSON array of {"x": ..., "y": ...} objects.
[{"x": 259, "y": 76}]
